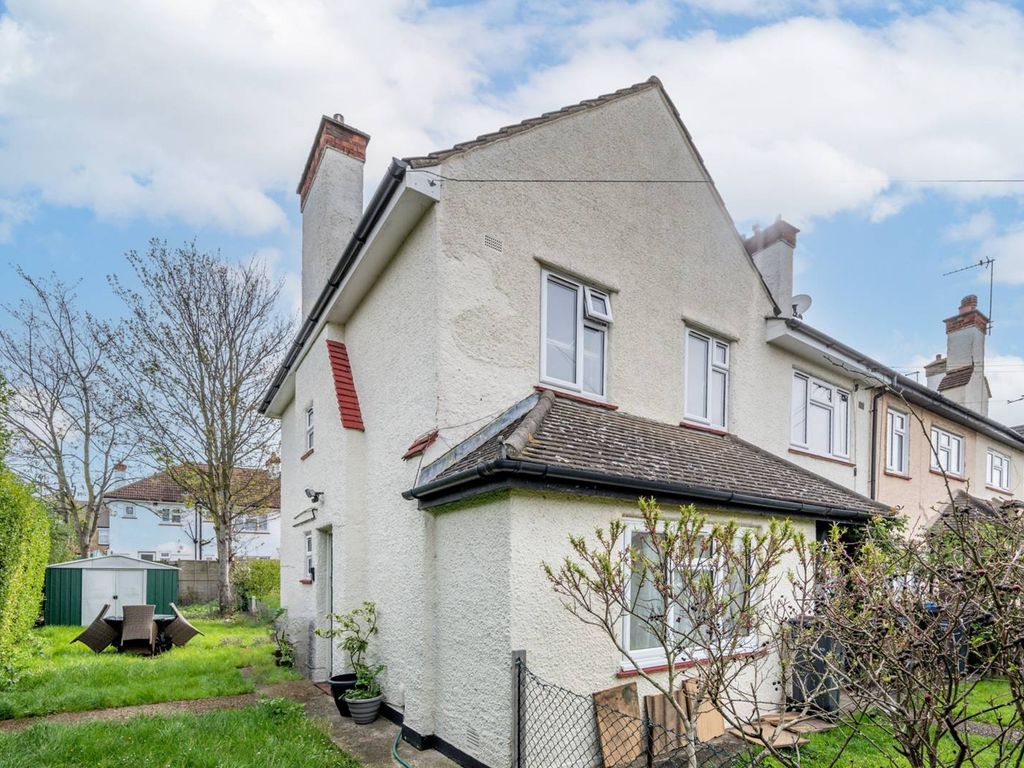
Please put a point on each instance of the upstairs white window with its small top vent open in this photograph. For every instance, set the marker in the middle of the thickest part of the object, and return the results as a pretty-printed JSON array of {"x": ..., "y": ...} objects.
[{"x": 575, "y": 321}]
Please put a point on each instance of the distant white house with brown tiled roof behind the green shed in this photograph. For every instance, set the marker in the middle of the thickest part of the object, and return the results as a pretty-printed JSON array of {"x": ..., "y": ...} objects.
[{"x": 152, "y": 520}]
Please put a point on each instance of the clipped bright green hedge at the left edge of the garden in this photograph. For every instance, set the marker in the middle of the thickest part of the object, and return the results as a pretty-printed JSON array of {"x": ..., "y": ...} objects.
[{"x": 25, "y": 543}]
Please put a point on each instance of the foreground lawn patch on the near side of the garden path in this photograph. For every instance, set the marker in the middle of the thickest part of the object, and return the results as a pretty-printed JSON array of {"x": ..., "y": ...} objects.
[{"x": 275, "y": 734}]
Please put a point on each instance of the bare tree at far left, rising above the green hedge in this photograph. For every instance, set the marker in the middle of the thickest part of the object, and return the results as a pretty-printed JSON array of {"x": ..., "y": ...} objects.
[{"x": 69, "y": 425}]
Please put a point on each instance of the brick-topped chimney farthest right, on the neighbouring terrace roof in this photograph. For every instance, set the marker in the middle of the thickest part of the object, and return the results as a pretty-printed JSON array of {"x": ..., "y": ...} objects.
[{"x": 961, "y": 375}]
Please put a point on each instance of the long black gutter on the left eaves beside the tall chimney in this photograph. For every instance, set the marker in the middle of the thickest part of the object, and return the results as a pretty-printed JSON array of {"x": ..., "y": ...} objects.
[{"x": 382, "y": 197}]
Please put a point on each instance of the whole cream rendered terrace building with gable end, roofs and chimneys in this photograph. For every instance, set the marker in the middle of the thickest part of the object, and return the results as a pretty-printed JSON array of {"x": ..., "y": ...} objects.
[{"x": 517, "y": 338}]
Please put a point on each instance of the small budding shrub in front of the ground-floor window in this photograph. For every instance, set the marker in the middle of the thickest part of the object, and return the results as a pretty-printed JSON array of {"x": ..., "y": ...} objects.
[{"x": 693, "y": 590}]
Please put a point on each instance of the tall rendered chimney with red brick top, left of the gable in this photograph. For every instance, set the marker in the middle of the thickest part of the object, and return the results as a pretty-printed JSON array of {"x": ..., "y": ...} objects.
[{"x": 331, "y": 201}]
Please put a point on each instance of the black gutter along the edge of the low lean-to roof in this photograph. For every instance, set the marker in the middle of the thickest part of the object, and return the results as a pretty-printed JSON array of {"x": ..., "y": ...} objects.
[{"x": 511, "y": 470}]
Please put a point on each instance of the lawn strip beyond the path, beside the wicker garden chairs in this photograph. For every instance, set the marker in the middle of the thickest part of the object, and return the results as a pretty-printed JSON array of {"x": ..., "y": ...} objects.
[{"x": 71, "y": 678}]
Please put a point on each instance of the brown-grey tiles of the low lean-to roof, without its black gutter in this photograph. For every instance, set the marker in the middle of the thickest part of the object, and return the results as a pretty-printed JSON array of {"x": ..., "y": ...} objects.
[{"x": 565, "y": 434}]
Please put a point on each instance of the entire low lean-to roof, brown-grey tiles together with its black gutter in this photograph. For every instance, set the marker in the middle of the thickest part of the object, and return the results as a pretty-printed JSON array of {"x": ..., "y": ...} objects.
[{"x": 562, "y": 442}]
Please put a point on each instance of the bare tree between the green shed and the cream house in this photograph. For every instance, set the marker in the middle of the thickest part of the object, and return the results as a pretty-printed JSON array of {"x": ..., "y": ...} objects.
[{"x": 202, "y": 344}]
